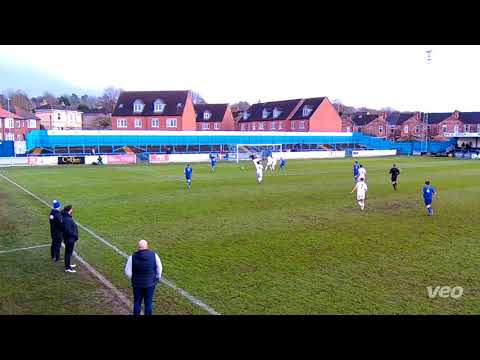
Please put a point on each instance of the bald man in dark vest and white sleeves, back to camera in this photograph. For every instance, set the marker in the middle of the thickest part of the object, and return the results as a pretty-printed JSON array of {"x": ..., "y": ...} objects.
[{"x": 144, "y": 268}]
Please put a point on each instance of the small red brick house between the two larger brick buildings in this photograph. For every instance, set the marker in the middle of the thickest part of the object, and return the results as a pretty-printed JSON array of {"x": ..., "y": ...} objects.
[{"x": 214, "y": 117}]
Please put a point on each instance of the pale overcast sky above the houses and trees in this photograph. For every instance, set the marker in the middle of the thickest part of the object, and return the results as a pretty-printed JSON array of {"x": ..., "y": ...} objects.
[{"x": 371, "y": 76}]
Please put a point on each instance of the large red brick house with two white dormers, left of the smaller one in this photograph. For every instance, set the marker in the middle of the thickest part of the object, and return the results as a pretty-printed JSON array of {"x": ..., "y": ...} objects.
[{"x": 154, "y": 110}]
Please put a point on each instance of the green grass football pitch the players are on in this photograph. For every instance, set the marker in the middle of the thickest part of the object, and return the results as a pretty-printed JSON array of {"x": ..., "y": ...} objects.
[{"x": 295, "y": 244}]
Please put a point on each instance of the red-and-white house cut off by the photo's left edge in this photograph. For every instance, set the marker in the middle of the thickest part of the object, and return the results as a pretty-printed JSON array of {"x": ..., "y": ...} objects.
[{"x": 17, "y": 124}]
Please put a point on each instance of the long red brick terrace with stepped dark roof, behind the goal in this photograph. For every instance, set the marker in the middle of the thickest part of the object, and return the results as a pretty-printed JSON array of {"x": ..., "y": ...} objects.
[{"x": 313, "y": 114}]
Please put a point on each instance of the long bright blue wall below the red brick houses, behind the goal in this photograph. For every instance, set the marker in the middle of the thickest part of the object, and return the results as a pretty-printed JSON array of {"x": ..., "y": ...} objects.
[{"x": 41, "y": 139}]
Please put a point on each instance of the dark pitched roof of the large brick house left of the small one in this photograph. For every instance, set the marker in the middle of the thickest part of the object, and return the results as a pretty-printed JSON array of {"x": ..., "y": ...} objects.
[{"x": 124, "y": 106}]
